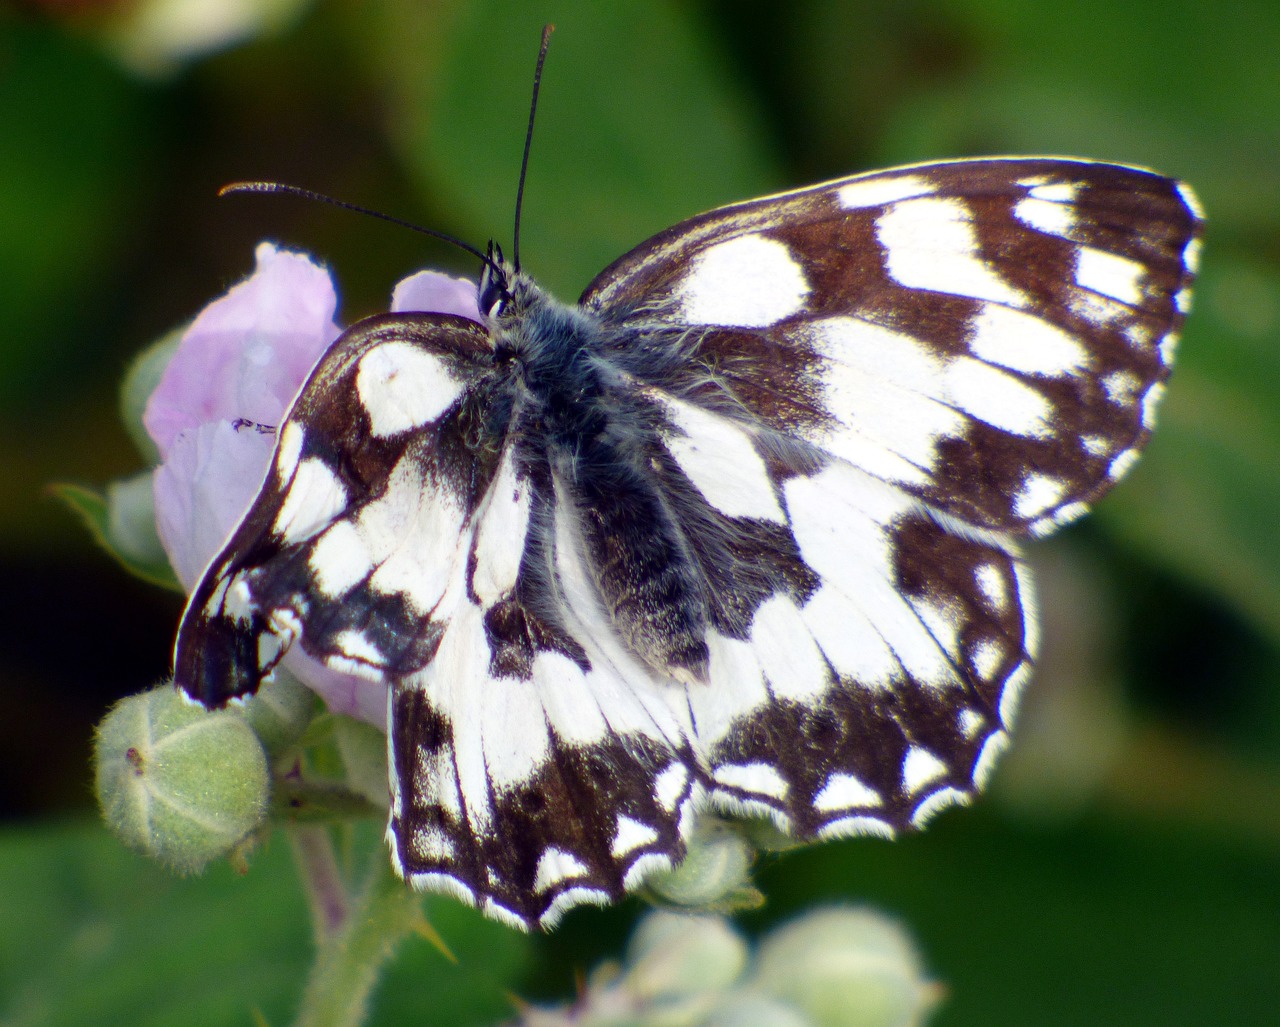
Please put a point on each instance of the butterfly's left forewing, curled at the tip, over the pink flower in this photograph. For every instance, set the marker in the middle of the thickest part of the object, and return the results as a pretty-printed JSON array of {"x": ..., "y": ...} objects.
[{"x": 353, "y": 537}]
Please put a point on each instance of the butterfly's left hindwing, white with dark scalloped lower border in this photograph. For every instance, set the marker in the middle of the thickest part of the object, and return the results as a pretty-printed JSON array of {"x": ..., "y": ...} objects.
[{"x": 534, "y": 764}]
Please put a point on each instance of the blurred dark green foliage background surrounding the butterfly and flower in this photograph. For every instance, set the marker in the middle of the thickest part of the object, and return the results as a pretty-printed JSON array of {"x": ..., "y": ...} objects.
[{"x": 1126, "y": 868}]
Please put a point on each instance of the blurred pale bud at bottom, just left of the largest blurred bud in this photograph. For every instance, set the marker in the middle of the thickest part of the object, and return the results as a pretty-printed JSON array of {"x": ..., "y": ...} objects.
[{"x": 673, "y": 956}]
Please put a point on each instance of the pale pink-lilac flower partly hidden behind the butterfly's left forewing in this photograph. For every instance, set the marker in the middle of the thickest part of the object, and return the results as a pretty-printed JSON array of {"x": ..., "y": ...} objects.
[{"x": 225, "y": 394}]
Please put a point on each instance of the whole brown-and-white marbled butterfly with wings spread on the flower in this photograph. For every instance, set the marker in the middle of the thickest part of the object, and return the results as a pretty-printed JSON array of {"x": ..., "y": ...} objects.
[{"x": 740, "y": 531}]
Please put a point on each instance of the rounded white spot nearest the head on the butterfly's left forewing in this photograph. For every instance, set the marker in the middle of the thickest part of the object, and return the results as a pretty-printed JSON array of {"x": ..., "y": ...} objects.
[{"x": 404, "y": 387}]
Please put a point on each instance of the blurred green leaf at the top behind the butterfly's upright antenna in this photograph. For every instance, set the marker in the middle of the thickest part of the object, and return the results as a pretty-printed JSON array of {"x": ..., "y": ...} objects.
[{"x": 641, "y": 125}]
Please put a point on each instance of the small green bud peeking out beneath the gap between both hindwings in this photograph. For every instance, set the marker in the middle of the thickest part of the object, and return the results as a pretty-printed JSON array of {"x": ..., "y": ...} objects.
[{"x": 716, "y": 873}]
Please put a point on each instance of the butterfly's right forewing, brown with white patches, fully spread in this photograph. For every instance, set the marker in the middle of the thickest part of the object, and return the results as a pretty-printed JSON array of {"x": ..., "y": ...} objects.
[{"x": 989, "y": 335}]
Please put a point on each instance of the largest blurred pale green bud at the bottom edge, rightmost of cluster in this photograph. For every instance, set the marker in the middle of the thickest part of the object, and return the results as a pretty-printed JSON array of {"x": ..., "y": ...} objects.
[{"x": 847, "y": 969}]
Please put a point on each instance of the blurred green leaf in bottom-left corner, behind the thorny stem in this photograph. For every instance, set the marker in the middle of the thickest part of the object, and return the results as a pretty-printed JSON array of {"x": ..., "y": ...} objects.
[{"x": 94, "y": 934}]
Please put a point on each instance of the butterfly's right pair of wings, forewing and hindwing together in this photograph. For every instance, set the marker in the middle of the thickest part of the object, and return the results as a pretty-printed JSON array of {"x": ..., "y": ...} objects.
[{"x": 883, "y": 384}]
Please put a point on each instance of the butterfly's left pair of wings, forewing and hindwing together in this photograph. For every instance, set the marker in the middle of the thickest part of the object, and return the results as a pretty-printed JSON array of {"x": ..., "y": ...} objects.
[{"x": 405, "y": 533}]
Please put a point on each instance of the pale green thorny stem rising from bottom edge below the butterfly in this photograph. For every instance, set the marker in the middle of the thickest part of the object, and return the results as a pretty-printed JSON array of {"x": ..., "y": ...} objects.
[{"x": 351, "y": 958}]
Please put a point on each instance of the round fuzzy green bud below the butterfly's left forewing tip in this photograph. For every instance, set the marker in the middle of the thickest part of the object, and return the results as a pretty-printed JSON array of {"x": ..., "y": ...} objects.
[{"x": 179, "y": 782}]
